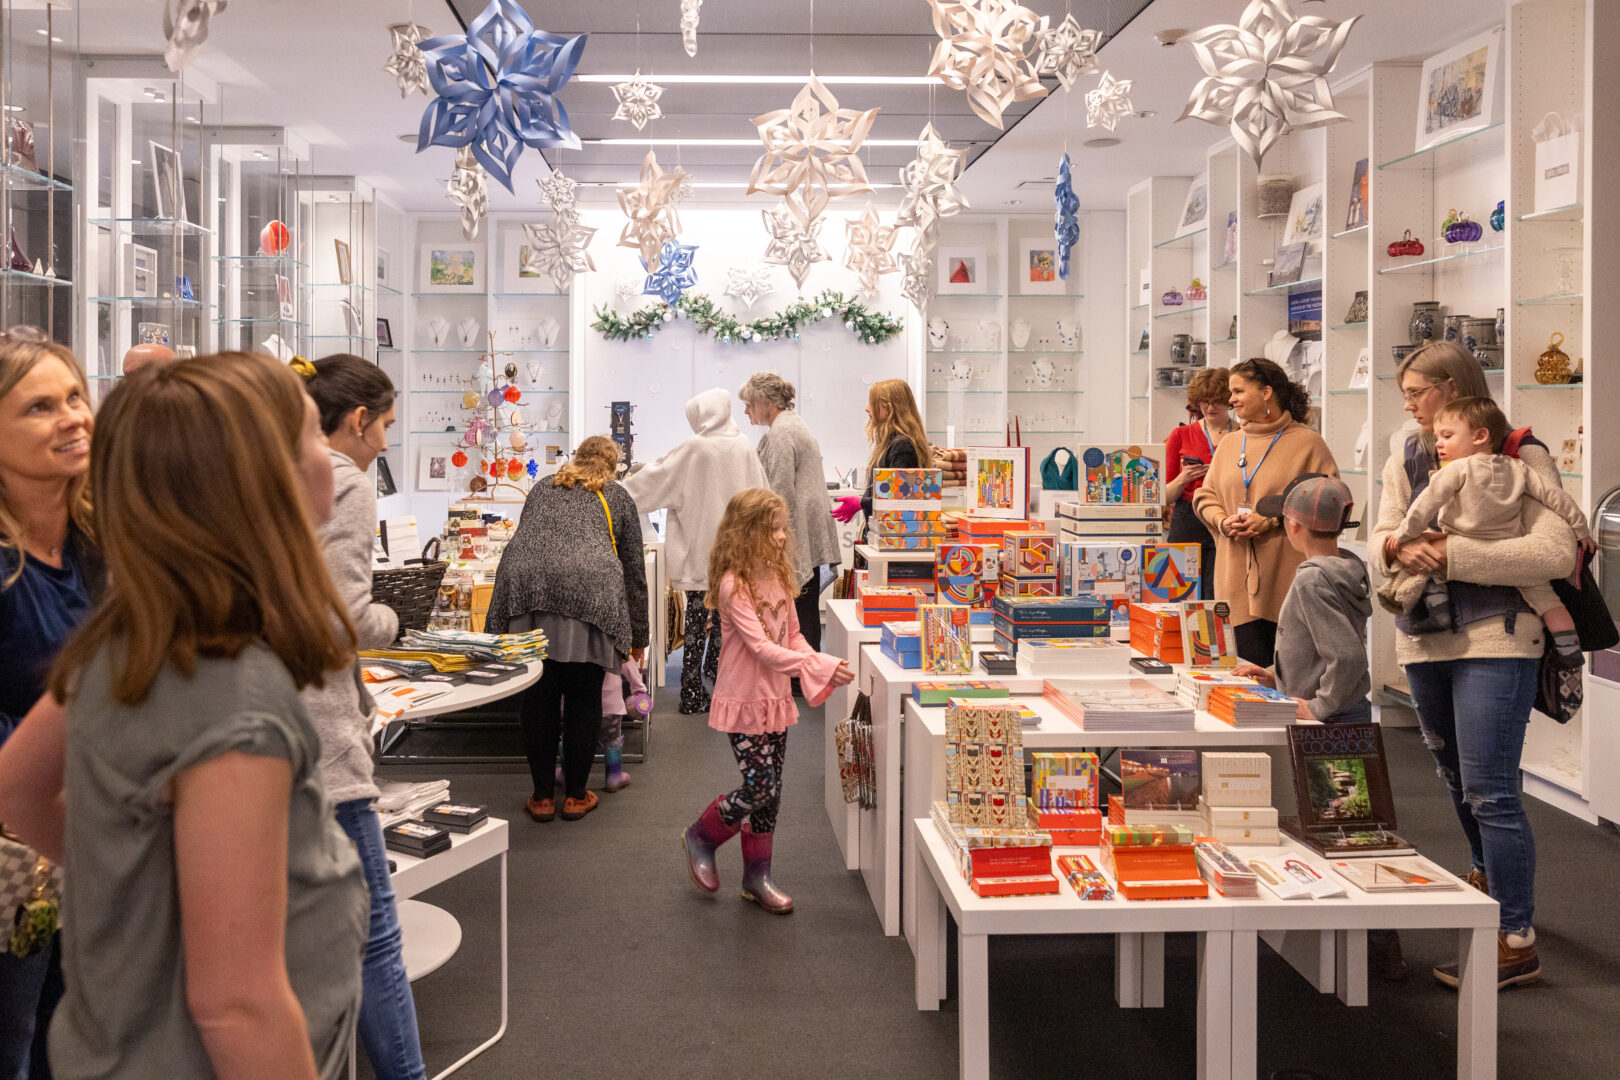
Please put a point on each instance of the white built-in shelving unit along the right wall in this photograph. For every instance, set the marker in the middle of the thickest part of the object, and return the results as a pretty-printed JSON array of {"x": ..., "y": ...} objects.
[{"x": 1517, "y": 270}]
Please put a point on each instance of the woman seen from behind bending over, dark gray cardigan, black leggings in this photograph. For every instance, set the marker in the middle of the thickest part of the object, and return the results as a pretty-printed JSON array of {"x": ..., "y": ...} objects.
[{"x": 576, "y": 571}]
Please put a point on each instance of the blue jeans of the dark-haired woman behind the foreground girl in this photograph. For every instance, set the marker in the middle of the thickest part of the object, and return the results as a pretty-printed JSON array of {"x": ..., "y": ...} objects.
[{"x": 388, "y": 1013}]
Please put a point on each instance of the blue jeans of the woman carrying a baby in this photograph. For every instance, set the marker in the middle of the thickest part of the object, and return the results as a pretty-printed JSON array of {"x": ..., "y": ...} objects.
[{"x": 1473, "y": 715}]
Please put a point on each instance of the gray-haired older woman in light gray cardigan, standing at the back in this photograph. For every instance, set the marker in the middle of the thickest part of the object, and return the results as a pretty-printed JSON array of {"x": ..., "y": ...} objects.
[{"x": 793, "y": 467}]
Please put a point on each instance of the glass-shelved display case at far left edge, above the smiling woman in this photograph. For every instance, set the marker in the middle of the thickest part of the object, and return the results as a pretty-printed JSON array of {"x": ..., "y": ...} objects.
[{"x": 41, "y": 147}]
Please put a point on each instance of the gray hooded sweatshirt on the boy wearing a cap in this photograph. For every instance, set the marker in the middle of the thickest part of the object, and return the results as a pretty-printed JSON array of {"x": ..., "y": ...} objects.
[{"x": 1321, "y": 636}]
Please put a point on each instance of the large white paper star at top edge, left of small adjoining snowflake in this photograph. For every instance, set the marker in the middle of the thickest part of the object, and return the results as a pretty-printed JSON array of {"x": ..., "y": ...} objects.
[{"x": 987, "y": 48}]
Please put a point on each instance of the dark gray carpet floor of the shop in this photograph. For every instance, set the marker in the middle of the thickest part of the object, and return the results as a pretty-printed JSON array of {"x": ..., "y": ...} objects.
[{"x": 623, "y": 969}]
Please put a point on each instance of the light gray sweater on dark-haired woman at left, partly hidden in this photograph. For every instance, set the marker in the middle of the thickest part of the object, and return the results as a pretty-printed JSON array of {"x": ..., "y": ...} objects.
[{"x": 341, "y": 710}]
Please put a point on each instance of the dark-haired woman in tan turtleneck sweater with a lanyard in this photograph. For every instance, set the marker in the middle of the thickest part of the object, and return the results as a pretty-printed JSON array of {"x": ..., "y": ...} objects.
[{"x": 1255, "y": 564}]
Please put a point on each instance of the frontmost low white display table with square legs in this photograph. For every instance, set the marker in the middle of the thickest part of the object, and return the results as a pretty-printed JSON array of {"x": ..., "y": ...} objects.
[{"x": 1229, "y": 943}]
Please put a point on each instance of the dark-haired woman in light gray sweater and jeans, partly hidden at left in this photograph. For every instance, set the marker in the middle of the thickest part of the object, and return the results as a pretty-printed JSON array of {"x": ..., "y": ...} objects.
[{"x": 357, "y": 410}]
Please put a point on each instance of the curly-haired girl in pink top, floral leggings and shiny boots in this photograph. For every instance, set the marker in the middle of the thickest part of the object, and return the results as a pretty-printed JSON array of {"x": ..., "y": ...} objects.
[{"x": 752, "y": 587}]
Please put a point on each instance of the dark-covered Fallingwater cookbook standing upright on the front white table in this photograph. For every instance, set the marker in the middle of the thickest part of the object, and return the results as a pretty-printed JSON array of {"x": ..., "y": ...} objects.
[{"x": 1342, "y": 786}]
